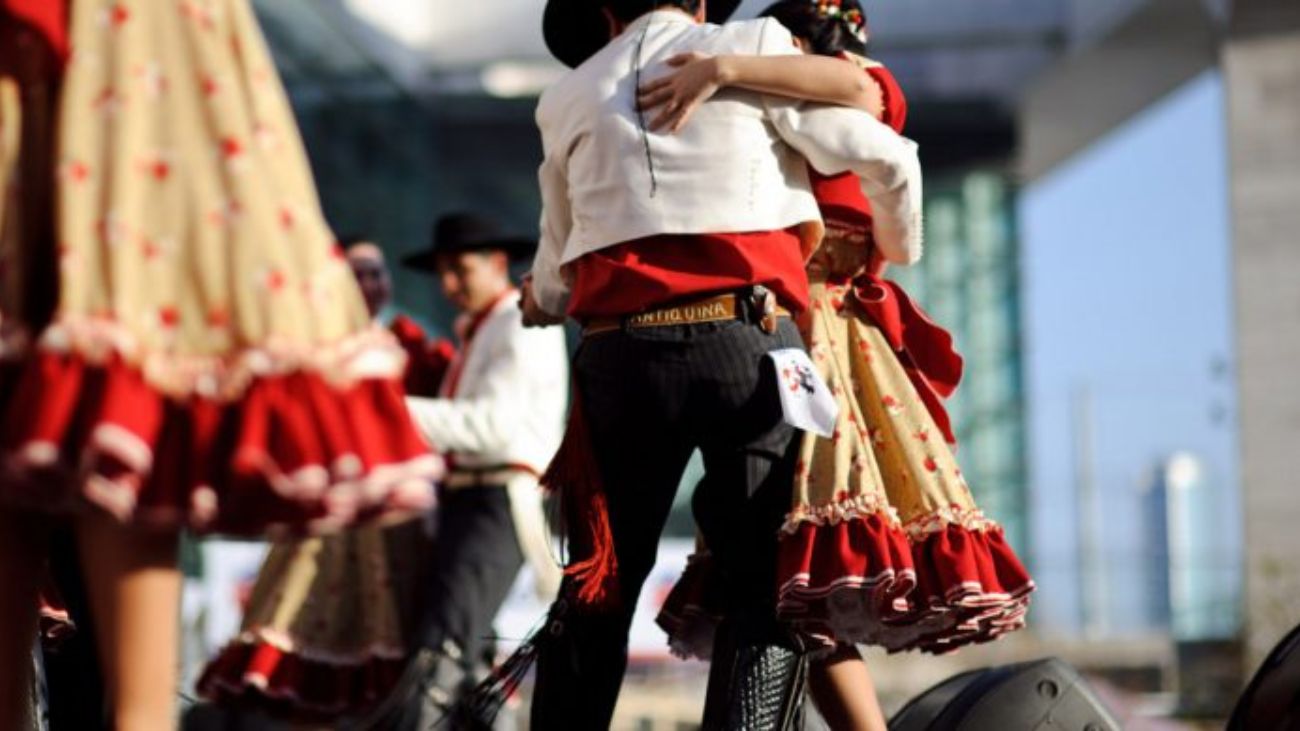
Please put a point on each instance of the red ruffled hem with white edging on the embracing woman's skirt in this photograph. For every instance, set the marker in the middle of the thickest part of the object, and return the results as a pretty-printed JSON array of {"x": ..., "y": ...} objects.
[{"x": 864, "y": 581}]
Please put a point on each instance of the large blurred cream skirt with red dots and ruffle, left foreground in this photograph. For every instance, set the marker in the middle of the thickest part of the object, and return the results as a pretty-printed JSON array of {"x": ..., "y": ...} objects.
[{"x": 181, "y": 341}]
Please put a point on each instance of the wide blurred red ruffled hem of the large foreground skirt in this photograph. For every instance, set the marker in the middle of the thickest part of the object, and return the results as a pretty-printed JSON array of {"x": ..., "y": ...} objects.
[{"x": 294, "y": 453}]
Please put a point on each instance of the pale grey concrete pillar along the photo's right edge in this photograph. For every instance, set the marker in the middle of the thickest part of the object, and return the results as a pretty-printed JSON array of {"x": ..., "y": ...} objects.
[{"x": 1262, "y": 64}]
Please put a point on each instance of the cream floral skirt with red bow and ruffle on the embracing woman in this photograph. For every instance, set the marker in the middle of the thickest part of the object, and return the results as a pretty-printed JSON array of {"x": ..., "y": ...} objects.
[{"x": 885, "y": 544}]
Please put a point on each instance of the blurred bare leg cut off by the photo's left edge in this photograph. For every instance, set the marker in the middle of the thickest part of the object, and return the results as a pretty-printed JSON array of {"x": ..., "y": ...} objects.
[{"x": 23, "y": 559}]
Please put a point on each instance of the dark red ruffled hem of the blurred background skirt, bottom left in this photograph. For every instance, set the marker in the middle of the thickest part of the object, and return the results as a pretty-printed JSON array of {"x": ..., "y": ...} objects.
[{"x": 297, "y": 687}]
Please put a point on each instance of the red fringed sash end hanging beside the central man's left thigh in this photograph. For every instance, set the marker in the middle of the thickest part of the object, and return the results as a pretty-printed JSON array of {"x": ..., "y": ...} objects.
[{"x": 575, "y": 475}]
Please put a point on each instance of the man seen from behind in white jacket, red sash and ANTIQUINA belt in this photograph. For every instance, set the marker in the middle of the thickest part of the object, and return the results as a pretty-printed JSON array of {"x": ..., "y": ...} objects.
[{"x": 683, "y": 258}]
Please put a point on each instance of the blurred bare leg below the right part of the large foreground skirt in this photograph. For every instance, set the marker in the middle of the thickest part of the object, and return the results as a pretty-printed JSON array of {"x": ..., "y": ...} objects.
[{"x": 135, "y": 592}]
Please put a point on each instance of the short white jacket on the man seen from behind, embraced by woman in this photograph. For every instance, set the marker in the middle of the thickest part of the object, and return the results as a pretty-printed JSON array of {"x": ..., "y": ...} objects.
[{"x": 740, "y": 166}]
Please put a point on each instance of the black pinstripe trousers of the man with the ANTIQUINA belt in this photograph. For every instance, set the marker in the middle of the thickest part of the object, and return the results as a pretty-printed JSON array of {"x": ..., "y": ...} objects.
[{"x": 651, "y": 399}]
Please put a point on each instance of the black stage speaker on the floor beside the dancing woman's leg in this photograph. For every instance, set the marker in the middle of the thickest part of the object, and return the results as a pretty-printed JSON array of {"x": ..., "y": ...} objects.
[{"x": 1032, "y": 697}]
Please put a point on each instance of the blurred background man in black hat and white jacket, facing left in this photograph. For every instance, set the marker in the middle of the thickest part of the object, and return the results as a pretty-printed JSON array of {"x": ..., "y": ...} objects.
[{"x": 499, "y": 419}]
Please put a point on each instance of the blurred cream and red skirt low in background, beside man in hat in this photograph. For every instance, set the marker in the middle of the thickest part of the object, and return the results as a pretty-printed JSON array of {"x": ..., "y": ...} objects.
[{"x": 328, "y": 629}]
